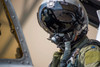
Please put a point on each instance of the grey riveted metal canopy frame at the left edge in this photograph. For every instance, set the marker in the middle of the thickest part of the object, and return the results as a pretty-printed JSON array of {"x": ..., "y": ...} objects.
[{"x": 25, "y": 60}]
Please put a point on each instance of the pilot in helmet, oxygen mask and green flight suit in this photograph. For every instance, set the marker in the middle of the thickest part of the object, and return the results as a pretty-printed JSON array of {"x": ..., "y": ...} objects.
[{"x": 67, "y": 23}]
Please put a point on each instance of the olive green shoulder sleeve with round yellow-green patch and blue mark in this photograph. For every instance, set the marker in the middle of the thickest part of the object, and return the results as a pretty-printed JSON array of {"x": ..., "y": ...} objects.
[{"x": 89, "y": 57}]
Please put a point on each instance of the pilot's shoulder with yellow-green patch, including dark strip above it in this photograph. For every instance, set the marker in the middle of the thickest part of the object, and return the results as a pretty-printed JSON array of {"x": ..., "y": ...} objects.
[{"x": 90, "y": 54}]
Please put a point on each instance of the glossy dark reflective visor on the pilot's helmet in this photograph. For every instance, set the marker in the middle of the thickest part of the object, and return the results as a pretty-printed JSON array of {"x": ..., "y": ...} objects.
[{"x": 59, "y": 21}]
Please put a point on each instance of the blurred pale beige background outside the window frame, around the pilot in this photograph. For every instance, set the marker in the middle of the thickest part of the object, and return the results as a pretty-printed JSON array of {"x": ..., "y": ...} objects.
[{"x": 41, "y": 50}]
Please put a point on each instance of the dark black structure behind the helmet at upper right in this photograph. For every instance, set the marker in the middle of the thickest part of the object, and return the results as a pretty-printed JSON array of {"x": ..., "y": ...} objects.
[{"x": 91, "y": 7}]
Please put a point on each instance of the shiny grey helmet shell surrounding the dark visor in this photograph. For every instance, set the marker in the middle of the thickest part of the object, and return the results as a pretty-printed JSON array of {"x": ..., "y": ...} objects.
[{"x": 53, "y": 5}]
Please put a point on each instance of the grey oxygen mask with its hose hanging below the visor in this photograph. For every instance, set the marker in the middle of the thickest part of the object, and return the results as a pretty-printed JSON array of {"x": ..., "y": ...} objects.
[{"x": 67, "y": 44}]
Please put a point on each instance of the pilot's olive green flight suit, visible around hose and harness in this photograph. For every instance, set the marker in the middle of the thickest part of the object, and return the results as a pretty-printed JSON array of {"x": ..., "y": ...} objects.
[{"x": 89, "y": 55}]
